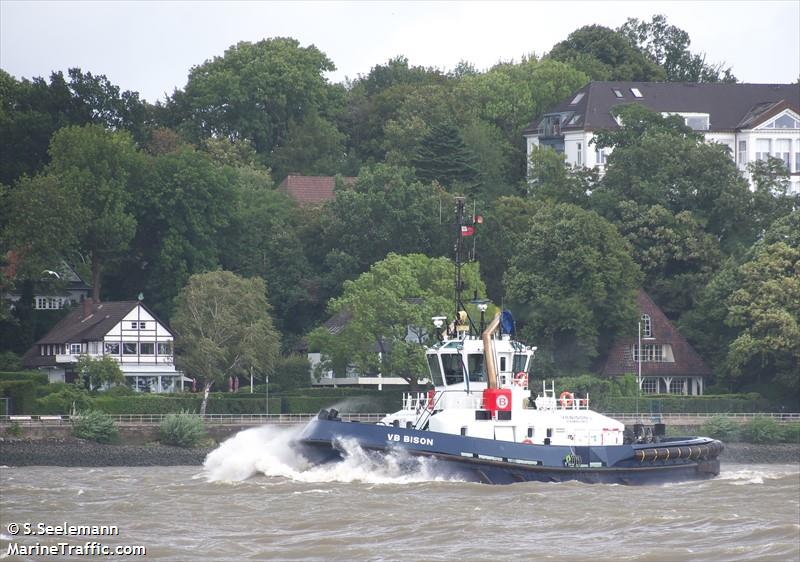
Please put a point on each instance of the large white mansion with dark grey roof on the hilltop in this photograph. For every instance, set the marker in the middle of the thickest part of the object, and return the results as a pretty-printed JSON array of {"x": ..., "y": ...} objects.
[{"x": 753, "y": 120}]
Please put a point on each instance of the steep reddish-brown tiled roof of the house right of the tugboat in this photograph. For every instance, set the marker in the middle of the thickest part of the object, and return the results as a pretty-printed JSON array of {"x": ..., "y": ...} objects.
[{"x": 687, "y": 361}]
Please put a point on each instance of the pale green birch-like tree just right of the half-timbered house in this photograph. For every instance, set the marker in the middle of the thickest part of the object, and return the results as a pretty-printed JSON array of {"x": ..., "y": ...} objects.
[{"x": 224, "y": 328}]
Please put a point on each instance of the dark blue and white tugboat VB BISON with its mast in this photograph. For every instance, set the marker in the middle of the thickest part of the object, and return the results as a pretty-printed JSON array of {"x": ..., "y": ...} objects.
[{"x": 481, "y": 423}]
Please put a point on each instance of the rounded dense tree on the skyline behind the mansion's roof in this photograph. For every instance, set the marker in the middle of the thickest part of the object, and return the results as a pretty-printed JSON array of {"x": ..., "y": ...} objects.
[{"x": 605, "y": 54}]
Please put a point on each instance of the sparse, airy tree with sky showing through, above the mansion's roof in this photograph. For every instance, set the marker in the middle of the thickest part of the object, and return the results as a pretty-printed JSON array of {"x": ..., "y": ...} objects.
[{"x": 668, "y": 46}]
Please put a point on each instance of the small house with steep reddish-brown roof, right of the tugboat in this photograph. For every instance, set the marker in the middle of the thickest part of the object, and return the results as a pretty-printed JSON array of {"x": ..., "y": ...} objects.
[{"x": 669, "y": 364}]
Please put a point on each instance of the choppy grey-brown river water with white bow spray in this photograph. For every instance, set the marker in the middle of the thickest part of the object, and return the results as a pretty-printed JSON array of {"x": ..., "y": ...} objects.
[{"x": 254, "y": 500}]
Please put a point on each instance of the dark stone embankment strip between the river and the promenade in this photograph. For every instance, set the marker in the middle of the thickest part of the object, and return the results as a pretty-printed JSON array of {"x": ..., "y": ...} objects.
[{"x": 76, "y": 452}]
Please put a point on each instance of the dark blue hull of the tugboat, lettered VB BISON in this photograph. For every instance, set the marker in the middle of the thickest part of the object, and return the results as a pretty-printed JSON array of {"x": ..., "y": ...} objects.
[{"x": 503, "y": 462}]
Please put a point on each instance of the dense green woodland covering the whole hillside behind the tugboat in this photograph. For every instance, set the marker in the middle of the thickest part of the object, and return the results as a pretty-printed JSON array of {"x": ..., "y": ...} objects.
[{"x": 141, "y": 198}]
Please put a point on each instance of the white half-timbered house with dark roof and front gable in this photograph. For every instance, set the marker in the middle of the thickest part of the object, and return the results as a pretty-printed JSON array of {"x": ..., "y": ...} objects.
[{"x": 125, "y": 330}]
